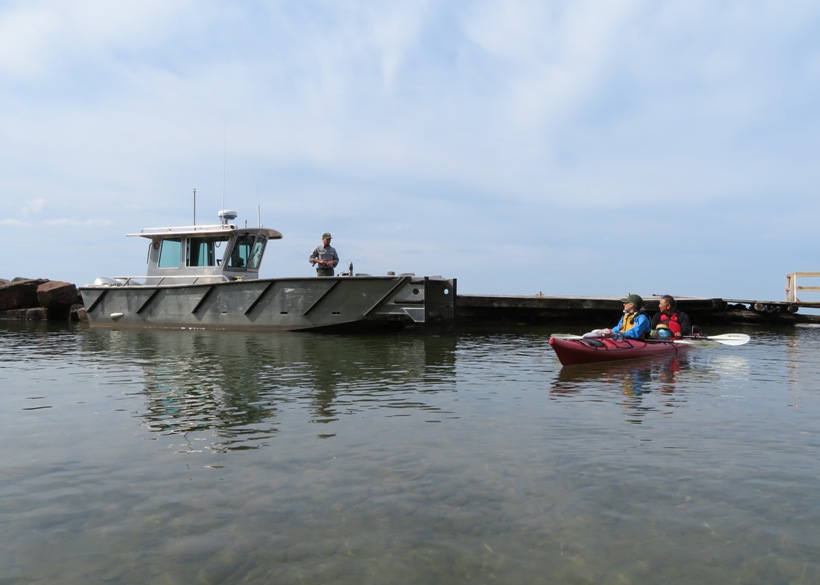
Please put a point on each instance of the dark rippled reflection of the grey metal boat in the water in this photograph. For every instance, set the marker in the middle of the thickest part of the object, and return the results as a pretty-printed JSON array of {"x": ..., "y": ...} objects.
[{"x": 240, "y": 386}]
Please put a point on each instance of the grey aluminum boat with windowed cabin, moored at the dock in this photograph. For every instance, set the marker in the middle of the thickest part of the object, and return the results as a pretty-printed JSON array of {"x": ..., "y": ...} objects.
[{"x": 207, "y": 276}]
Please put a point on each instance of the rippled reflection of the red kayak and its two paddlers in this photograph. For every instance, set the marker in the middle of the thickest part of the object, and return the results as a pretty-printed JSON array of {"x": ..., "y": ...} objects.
[{"x": 633, "y": 379}]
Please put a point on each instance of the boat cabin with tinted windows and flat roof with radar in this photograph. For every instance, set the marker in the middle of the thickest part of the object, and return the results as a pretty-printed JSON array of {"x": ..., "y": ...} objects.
[{"x": 206, "y": 253}]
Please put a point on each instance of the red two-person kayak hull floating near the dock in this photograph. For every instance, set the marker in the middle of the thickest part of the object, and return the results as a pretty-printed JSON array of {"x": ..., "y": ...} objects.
[{"x": 587, "y": 351}]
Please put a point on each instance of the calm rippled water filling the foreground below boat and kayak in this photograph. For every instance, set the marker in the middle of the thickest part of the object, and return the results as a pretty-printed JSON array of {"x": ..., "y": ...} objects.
[{"x": 182, "y": 457}]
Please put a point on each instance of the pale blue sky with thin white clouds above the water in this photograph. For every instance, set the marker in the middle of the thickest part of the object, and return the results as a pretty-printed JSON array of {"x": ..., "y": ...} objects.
[{"x": 567, "y": 147}]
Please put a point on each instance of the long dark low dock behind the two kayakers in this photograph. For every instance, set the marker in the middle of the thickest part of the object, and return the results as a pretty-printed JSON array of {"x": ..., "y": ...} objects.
[{"x": 604, "y": 311}]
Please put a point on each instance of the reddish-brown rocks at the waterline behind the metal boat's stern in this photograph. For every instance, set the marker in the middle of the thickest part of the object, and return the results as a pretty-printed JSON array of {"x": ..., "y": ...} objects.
[{"x": 40, "y": 299}]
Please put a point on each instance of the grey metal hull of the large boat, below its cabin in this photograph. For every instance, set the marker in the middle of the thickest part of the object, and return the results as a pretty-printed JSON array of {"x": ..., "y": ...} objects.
[{"x": 283, "y": 304}]
